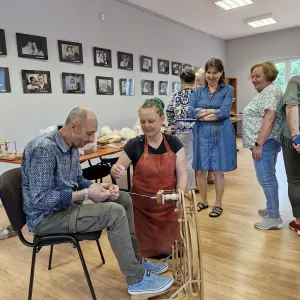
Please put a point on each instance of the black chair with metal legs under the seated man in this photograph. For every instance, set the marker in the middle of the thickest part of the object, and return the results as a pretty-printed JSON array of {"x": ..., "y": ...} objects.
[{"x": 11, "y": 197}]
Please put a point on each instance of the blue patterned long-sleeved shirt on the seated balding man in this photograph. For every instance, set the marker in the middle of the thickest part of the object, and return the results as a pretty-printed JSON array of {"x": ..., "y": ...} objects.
[{"x": 50, "y": 172}]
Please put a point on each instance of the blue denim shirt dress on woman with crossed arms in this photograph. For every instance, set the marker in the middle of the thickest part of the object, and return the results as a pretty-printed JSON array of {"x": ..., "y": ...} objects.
[{"x": 214, "y": 146}]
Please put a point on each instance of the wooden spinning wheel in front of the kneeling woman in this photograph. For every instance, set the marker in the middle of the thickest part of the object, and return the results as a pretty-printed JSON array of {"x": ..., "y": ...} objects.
[{"x": 186, "y": 253}]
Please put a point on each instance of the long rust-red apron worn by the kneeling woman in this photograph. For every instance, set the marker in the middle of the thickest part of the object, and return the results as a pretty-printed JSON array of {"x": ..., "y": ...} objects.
[{"x": 156, "y": 225}]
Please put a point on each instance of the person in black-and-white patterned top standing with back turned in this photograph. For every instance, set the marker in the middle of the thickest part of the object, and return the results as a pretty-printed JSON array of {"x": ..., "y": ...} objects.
[{"x": 177, "y": 114}]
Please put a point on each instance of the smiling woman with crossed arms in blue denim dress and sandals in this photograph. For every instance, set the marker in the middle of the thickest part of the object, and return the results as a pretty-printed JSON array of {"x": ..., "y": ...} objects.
[{"x": 214, "y": 146}]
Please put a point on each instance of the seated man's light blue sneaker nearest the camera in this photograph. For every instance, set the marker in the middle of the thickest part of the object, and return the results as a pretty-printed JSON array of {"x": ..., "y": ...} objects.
[{"x": 151, "y": 284}]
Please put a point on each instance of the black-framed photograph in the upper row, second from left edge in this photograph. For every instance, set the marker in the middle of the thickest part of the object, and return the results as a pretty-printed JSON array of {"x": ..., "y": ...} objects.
[{"x": 32, "y": 46}]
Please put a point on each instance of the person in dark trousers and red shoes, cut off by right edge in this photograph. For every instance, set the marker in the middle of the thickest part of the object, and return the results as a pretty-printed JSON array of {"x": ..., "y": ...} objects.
[{"x": 291, "y": 147}]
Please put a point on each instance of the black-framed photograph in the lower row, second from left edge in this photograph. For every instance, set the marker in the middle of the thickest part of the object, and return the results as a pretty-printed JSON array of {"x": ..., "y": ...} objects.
[{"x": 36, "y": 81}]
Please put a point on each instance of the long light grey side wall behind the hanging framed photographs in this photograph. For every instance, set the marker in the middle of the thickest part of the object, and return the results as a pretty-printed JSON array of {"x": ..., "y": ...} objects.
[{"x": 125, "y": 29}]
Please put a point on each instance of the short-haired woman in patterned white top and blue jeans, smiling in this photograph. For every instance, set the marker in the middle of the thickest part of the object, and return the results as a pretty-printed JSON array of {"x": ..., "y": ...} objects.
[{"x": 262, "y": 121}]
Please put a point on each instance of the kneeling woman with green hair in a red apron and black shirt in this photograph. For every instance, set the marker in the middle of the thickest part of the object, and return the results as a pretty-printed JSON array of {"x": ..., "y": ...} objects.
[{"x": 159, "y": 164}]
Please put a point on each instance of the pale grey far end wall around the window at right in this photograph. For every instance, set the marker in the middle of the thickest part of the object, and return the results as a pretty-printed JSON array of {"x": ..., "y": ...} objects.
[{"x": 243, "y": 53}]
